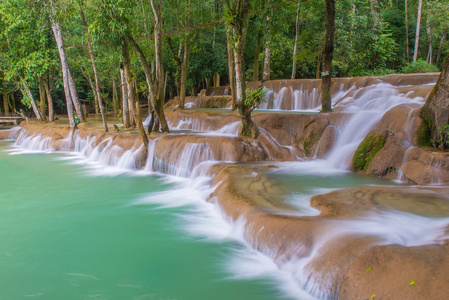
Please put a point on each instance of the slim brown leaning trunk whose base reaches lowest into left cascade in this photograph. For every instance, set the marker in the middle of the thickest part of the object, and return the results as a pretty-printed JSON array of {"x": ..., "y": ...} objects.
[{"x": 132, "y": 96}]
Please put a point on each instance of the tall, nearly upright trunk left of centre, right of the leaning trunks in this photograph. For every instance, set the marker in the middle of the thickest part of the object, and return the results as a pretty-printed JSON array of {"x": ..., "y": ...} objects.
[{"x": 159, "y": 82}]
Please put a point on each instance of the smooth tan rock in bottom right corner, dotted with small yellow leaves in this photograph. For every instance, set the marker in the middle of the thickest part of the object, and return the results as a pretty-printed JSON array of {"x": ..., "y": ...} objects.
[{"x": 394, "y": 268}]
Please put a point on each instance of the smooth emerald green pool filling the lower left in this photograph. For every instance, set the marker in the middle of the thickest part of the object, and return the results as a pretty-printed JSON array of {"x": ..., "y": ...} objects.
[{"x": 66, "y": 234}]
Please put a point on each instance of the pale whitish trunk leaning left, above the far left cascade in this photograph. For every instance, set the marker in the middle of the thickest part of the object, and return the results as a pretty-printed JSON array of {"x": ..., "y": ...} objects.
[{"x": 65, "y": 75}]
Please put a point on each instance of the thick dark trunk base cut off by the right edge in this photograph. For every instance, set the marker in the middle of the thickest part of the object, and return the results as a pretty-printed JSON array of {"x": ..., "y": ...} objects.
[{"x": 435, "y": 111}]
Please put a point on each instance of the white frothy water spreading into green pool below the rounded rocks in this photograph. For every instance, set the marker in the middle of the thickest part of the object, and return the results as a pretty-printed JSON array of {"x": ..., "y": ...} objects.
[{"x": 205, "y": 220}]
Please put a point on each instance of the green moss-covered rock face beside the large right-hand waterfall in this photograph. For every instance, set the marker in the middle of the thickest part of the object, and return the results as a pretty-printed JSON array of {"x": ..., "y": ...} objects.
[{"x": 367, "y": 150}]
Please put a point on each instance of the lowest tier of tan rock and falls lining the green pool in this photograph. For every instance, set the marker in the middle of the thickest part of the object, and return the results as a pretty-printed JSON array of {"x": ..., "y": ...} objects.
[{"x": 327, "y": 263}]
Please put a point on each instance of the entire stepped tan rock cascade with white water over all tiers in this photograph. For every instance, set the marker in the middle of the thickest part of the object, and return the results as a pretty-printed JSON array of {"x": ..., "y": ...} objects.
[{"x": 291, "y": 194}]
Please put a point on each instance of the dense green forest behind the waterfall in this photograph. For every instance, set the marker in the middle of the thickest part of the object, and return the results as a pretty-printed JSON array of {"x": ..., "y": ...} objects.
[{"x": 285, "y": 40}]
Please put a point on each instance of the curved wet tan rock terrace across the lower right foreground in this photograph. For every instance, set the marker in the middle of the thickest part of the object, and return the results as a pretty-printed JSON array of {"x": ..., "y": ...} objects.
[{"x": 337, "y": 261}]
